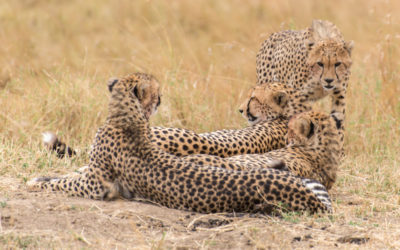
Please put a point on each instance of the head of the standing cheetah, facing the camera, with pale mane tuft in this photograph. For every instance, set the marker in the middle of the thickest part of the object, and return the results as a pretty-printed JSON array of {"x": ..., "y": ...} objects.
[{"x": 329, "y": 56}]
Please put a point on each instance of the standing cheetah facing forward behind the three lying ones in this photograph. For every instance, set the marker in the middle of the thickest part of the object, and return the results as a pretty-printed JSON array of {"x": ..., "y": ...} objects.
[{"x": 315, "y": 61}]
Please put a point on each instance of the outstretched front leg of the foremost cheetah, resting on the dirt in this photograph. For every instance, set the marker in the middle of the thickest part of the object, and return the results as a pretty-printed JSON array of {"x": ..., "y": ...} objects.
[{"x": 89, "y": 184}]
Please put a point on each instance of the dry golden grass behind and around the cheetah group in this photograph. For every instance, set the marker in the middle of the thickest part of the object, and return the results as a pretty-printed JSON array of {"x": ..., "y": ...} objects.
[{"x": 57, "y": 55}]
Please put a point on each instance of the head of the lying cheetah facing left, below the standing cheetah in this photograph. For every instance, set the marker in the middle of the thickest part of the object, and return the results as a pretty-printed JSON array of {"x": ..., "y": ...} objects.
[{"x": 264, "y": 102}]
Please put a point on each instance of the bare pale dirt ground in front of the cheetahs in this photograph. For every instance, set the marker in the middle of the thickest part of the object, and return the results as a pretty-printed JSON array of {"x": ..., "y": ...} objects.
[{"x": 48, "y": 220}]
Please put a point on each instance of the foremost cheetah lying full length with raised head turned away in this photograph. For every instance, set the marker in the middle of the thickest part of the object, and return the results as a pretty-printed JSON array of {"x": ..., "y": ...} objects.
[{"x": 124, "y": 162}]
